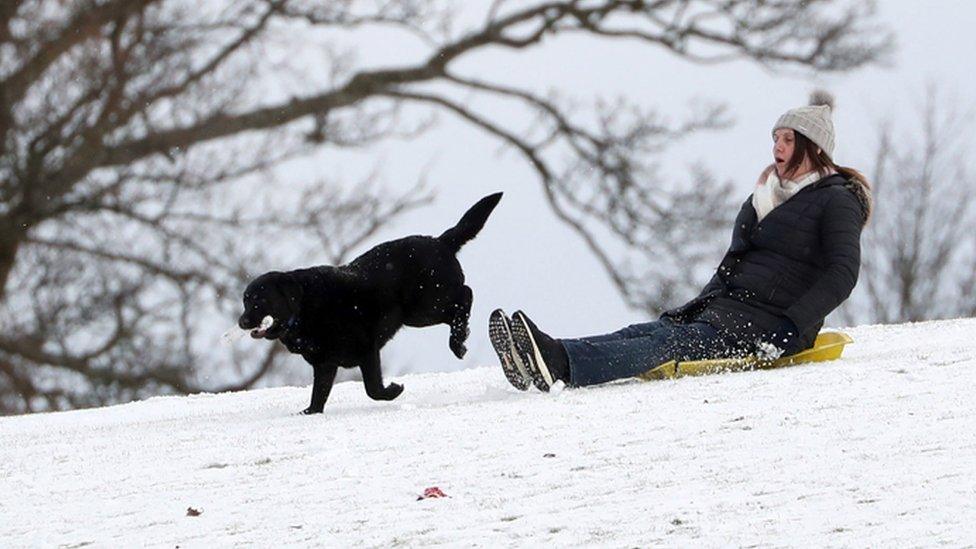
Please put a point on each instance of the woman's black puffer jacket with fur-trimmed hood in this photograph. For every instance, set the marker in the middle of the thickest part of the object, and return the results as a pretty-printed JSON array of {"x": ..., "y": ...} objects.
[{"x": 799, "y": 263}]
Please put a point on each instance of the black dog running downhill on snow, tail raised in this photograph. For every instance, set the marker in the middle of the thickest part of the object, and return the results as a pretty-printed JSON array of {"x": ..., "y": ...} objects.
[{"x": 342, "y": 316}]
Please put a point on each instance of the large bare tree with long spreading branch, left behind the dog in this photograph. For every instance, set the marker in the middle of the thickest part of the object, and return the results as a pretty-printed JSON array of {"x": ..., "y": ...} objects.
[{"x": 138, "y": 139}]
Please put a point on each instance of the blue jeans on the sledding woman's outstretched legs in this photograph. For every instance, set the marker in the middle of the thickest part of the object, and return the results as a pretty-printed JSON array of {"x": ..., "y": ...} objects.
[{"x": 639, "y": 348}]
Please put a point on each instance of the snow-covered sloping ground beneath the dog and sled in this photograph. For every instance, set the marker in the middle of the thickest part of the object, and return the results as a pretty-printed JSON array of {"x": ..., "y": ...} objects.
[{"x": 877, "y": 449}]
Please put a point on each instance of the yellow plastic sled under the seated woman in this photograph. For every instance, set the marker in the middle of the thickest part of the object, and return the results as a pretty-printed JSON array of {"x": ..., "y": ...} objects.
[{"x": 828, "y": 346}]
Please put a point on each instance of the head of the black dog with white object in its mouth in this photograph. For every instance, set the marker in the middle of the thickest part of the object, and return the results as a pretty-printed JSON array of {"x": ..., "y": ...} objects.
[{"x": 273, "y": 294}]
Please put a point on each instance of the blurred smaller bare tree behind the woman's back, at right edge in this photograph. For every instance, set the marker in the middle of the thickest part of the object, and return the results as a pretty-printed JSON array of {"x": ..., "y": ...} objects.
[{"x": 919, "y": 251}]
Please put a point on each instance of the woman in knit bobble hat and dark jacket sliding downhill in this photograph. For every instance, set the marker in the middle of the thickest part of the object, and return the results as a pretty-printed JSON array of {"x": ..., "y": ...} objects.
[{"x": 794, "y": 258}]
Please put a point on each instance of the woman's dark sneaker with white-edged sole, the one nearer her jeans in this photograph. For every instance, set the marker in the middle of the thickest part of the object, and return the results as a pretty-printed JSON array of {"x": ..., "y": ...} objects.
[{"x": 543, "y": 356}]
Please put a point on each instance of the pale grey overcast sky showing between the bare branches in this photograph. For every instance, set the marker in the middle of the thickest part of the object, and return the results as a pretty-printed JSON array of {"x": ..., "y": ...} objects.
[{"x": 526, "y": 259}]
